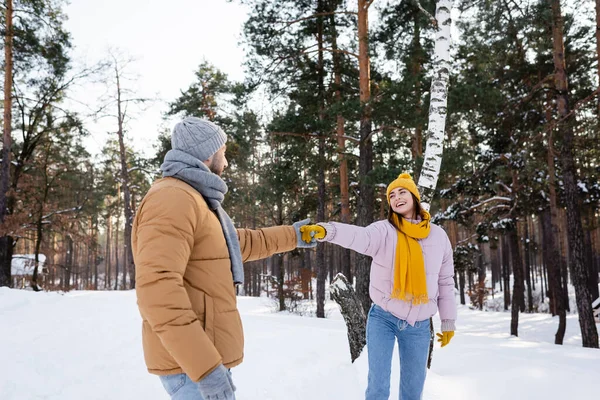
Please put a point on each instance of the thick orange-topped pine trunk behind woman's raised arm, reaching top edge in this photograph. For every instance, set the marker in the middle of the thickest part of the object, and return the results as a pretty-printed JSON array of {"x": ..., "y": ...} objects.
[{"x": 366, "y": 197}]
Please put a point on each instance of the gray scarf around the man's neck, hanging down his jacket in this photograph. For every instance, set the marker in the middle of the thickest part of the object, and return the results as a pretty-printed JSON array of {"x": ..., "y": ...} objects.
[{"x": 194, "y": 172}]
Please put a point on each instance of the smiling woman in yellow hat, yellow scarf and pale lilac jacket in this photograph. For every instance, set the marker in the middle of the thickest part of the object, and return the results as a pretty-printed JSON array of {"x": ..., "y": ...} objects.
[{"x": 412, "y": 277}]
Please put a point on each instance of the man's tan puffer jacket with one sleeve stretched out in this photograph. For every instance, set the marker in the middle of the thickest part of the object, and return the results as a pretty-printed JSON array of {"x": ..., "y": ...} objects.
[{"x": 184, "y": 285}]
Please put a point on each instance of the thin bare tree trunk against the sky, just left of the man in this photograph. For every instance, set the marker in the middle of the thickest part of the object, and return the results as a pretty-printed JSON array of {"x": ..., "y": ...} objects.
[{"x": 128, "y": 265}]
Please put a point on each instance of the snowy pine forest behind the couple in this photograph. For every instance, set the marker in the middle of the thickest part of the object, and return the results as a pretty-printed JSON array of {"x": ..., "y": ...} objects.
[{"x": 358, "y": 91}]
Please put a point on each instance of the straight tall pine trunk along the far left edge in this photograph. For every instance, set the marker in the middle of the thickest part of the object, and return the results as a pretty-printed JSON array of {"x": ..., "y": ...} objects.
[{"x": 6, "y": 242}]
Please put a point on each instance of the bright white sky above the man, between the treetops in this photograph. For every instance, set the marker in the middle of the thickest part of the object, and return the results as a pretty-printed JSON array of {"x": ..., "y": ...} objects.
[{"x": 168, "y": 41}]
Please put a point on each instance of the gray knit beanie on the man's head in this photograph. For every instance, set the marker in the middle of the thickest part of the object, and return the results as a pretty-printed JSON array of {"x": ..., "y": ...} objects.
[{"x": 198, "y": 137}]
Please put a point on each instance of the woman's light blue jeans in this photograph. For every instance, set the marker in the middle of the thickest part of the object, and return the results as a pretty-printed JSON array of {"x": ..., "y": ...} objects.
[{"x": 413, "y": 344}]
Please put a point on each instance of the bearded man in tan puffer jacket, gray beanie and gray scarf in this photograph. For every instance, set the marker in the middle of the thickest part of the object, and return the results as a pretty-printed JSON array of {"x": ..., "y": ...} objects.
[{"x": 188, "y": 257}]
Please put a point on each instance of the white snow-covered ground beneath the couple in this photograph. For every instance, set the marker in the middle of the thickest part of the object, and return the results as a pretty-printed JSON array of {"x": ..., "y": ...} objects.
[{"x": 86, "y": 345}]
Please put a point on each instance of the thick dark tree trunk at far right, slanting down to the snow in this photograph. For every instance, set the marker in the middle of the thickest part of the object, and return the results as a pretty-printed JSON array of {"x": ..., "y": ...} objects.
[{"x": 589, "y": 333}]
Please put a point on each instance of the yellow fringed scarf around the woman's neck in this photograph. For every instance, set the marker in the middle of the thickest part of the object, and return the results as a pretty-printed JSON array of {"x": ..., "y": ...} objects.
[{"x": 410, "y": 283}]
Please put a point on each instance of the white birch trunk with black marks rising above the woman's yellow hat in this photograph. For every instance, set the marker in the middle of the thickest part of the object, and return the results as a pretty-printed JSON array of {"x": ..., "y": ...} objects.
[{"x": 438, "y": 104}]
